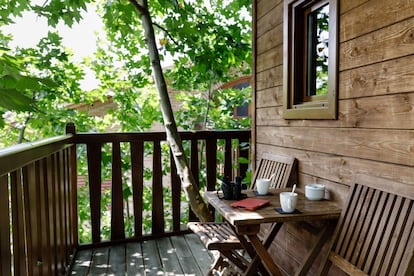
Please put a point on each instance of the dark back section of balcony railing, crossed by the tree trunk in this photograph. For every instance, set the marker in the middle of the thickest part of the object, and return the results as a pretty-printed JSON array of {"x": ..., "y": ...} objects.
[{"x": 203, "y": 145}]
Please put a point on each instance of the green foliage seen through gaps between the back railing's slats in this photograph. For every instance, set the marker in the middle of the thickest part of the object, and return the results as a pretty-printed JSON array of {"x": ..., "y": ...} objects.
[{"x": 83, "y": 191}]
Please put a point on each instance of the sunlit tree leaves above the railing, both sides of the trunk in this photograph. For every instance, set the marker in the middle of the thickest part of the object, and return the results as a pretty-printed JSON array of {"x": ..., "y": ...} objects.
[{"x": 207, "y": 41}]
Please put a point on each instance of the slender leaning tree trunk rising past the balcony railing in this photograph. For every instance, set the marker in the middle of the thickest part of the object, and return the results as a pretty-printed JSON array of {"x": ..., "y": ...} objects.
[{"x": 197, "y": 204}]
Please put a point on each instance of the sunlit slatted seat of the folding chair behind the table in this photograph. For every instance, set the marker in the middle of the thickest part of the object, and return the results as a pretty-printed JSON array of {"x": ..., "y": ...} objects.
[{"x": 216, "y": 236}]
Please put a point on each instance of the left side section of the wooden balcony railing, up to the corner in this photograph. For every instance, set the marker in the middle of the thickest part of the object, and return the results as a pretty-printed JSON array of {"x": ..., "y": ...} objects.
[{"x": 37, "y": 211}]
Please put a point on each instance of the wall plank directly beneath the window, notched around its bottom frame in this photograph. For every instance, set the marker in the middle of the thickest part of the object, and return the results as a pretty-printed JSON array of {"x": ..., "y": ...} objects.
[{"x": 367, "y": 112}]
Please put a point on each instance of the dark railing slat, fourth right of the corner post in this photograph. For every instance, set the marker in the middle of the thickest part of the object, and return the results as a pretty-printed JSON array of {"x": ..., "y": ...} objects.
[{"x": 157, "y": 191}]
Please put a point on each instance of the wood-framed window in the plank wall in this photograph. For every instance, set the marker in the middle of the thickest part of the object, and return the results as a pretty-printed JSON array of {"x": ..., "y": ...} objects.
[{"x": 310, "y": 70}]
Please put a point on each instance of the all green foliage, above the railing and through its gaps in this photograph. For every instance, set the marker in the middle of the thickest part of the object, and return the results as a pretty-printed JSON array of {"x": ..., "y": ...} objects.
[{"x": 207, "y": 41}]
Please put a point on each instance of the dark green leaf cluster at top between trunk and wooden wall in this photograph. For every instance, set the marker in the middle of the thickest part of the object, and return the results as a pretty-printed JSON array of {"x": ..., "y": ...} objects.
[{"x": 223, "y": 48}]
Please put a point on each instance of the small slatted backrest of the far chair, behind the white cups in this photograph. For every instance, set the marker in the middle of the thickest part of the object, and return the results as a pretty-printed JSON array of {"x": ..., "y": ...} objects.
[{"x": 284, "y": 167}]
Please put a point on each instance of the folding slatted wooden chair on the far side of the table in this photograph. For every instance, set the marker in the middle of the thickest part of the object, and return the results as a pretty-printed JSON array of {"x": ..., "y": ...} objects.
[{"x": 220, "y": 236}]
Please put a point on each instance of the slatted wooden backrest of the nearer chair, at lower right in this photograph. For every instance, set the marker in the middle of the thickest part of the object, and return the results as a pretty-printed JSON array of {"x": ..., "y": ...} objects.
[{"x": 375, "y": 233}]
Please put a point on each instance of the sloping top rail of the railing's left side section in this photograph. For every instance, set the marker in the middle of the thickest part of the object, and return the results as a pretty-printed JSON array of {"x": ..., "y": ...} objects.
[{"x": 17, "y": 156}]
